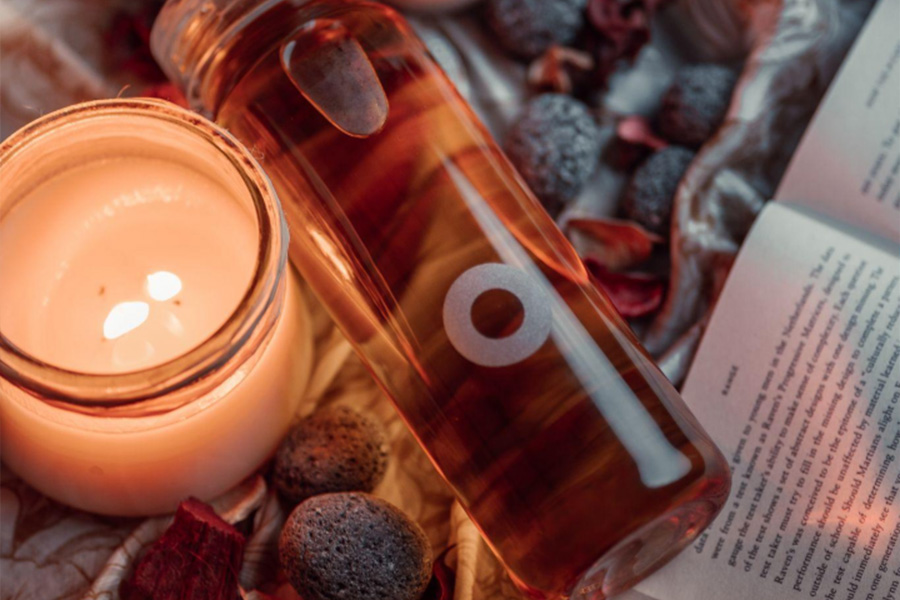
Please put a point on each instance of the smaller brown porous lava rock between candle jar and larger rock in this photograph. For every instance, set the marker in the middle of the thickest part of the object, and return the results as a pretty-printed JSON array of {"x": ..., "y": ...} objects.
[{"x": 335, "y": 449}]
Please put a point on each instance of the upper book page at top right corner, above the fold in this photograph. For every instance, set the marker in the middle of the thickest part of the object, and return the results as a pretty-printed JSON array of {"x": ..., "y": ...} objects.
[{"x": 848, "y": 164}]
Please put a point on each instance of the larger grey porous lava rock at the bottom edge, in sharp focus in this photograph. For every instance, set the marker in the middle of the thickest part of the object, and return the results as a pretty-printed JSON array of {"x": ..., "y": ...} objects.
[{"x": 354, "y": 546}]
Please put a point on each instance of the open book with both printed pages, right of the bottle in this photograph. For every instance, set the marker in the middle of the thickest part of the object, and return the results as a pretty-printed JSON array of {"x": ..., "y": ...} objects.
[{"x": 798, "y": 376}]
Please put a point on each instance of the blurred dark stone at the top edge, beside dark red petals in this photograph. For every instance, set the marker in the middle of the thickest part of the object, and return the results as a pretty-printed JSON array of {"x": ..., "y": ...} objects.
[{"x": 528, "y": 27}]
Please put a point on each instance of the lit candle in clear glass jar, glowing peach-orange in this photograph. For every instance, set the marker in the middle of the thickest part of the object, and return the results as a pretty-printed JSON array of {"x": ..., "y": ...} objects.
[{"x": 153, "y": 341}]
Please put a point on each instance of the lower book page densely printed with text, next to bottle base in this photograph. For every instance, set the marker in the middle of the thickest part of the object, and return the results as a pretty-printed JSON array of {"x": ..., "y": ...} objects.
[{"x": 797, "y": 381}]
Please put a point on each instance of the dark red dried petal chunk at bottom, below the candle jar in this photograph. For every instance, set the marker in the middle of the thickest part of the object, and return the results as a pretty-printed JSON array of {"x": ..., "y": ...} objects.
[{"x": 199, "y": 557}]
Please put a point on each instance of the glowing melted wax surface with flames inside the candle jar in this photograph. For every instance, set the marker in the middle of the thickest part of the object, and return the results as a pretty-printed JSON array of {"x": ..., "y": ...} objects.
[{"x": 131, "y": 263}]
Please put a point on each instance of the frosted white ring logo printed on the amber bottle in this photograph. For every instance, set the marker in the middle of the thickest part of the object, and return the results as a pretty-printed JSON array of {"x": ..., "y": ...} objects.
[{"x": 496, "y": 352}]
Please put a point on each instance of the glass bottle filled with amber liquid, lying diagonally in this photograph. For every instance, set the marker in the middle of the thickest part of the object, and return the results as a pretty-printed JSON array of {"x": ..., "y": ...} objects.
[{"x": 574, "y": 456}]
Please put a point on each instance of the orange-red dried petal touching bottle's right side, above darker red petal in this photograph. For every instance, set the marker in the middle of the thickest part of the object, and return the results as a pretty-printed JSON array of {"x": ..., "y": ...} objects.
[{"x": 612, "y": 243}]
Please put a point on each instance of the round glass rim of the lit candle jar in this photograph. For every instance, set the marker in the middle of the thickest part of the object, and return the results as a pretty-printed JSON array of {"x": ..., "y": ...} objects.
[{"x": 242, "y": 328}]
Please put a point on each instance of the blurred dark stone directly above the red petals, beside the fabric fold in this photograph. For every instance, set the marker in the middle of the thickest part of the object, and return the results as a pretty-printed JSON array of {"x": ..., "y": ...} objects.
[{"x": 651, "y": 191}]
